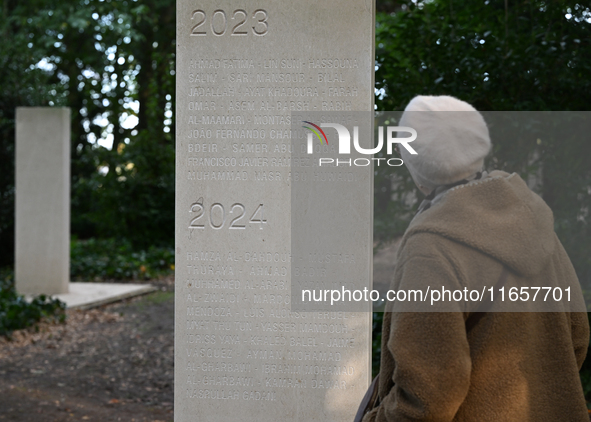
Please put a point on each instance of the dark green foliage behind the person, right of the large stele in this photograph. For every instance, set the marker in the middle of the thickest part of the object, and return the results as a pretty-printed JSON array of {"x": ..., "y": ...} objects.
[{"x": 531, "y": 56}]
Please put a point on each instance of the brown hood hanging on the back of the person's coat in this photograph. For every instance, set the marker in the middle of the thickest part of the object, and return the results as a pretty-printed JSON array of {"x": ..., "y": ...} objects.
[{"x": 499, "y": 216}]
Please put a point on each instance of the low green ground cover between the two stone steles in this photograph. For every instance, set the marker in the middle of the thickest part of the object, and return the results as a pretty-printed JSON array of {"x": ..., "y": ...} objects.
[{"x": 117, "y": 259}]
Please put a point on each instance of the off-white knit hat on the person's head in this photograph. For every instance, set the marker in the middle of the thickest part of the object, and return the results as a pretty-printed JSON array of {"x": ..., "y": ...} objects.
[{"x": 452, "y": 140}]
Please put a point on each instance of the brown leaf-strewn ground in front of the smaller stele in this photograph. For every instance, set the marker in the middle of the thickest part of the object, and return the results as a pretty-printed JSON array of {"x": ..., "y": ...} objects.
[{"x": 114, "y": 363}]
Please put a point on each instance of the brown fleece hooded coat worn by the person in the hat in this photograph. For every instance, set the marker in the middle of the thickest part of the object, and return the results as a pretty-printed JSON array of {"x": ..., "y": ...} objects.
[{"x": 474, "y": 366}]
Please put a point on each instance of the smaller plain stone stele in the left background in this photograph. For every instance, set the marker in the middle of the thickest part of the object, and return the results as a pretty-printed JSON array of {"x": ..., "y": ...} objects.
[{"x": 42, "y": 209}]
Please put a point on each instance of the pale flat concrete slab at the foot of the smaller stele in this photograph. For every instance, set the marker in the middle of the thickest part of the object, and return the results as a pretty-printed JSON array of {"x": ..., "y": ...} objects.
[{"x": 89, "y": 295}]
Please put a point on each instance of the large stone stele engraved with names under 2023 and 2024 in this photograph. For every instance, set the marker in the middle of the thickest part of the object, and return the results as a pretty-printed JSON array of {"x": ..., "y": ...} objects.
[{"x": 244, "y": 70}]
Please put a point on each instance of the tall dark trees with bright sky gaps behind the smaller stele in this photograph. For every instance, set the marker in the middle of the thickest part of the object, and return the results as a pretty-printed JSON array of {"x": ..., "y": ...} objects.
[{"x": 108, "y": 61}]
